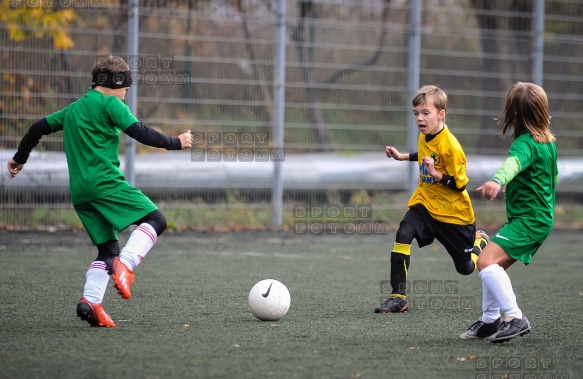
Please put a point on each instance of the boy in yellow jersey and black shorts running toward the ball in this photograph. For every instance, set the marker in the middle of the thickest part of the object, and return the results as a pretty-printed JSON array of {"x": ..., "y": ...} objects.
[{"x": 440, "y": 208}]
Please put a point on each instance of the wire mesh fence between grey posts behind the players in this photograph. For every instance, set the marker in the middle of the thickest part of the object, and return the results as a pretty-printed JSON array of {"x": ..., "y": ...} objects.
[{"x": 208, "y": 66}]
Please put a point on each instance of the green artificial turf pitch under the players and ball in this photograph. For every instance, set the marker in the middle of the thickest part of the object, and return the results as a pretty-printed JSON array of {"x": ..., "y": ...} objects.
[{"x": 188, "y": 316}]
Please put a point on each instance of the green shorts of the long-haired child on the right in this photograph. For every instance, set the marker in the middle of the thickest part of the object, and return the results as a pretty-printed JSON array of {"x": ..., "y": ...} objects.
[{"x": 515, "y": 240}]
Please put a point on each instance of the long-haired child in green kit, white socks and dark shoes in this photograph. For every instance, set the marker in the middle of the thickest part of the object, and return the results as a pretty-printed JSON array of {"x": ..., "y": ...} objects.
[{"x": 530, "y": 175}]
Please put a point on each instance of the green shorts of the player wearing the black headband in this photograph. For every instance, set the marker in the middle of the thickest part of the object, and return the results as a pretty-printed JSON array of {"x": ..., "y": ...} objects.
[{"x": 103, "y": 218}]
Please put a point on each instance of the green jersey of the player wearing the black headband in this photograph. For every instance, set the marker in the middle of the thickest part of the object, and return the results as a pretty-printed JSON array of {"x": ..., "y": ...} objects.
[{"x": 91, "y": 133}]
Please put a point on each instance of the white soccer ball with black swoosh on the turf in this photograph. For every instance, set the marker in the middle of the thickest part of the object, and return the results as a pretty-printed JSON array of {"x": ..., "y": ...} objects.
[{"x": 269, "y": 300}]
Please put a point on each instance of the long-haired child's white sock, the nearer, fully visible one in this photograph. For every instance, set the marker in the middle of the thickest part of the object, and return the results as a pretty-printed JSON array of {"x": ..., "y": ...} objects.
[{"x": 498, "y": 282}]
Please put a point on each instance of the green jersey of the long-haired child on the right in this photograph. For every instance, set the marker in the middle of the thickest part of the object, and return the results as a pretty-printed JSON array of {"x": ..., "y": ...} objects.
[{"x": 530, "y": 195}]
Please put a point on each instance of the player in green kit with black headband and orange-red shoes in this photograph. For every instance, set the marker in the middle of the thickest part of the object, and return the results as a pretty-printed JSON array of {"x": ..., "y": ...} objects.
[{"x": 104, "y": 201}]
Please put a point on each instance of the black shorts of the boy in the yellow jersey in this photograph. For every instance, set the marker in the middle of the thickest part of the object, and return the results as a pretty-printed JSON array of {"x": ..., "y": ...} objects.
[{"x": 458, "y": 240}]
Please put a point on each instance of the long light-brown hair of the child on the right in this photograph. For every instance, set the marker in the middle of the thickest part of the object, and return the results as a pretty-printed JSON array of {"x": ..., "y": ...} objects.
[{"x": 526, "y": 110}]
